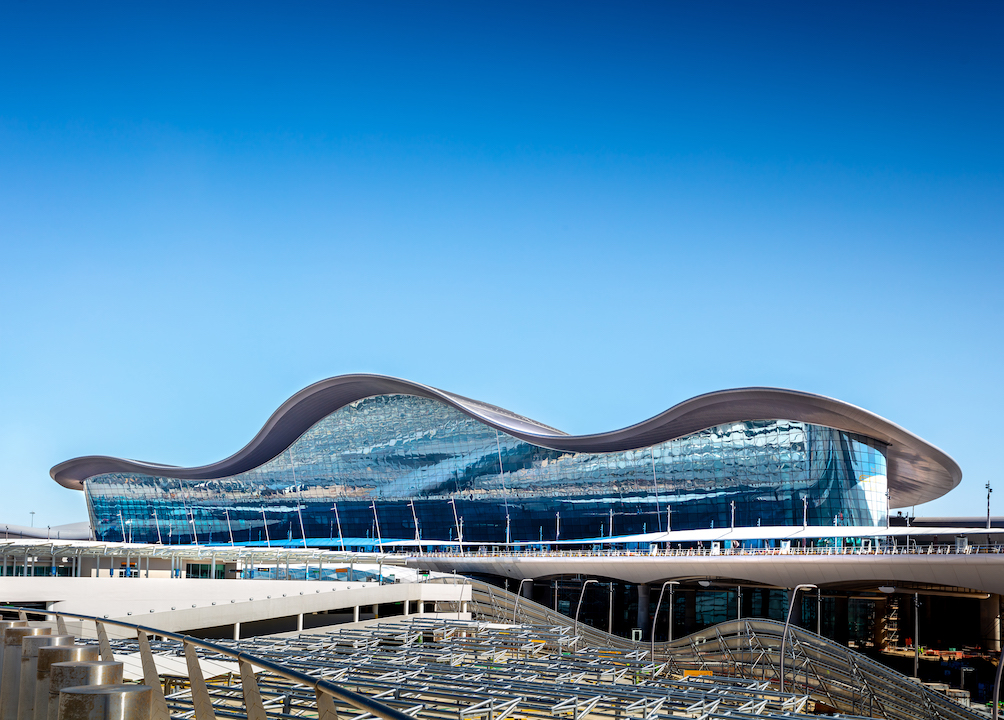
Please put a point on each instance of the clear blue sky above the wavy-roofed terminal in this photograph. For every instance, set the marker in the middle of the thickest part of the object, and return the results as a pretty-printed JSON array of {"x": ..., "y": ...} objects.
[{"x": 584, "y": 213}]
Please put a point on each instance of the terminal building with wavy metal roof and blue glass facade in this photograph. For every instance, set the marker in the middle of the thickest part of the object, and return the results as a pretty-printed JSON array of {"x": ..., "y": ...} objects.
[{"x": 359, "y": 460}]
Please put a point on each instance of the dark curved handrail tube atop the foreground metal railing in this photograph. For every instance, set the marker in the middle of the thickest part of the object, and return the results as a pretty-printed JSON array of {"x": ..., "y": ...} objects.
[{"x": 357, "y": 700}]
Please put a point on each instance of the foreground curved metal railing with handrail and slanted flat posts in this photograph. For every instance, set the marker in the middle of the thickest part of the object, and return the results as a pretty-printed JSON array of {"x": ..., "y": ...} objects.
[{"x": 327, "y": 692}]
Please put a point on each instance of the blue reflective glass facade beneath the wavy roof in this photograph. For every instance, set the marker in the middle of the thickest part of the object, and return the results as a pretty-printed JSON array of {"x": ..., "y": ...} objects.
[{"x": 374, "y": 469}]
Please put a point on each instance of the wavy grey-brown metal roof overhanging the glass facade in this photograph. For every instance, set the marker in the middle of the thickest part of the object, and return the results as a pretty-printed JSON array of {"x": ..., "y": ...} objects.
[{"x": 918, "y": 471}]
